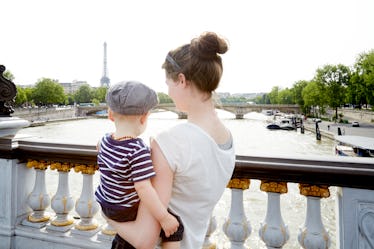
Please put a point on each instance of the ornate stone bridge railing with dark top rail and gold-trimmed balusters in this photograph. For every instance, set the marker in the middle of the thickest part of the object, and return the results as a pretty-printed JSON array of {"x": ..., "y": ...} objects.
[{"x": 31, "y": 218}]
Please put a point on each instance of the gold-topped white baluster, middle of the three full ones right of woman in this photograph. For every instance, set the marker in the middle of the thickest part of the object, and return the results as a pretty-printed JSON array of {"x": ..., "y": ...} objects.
[{"x": 273, "y": 231}]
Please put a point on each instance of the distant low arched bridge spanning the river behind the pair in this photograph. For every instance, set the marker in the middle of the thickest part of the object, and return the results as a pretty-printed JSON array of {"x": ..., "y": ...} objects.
[{"x": 238, "y": 109}]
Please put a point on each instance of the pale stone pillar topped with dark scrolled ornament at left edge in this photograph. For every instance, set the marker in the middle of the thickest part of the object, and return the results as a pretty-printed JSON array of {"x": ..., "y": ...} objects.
[{"x": 15, "y": 179}]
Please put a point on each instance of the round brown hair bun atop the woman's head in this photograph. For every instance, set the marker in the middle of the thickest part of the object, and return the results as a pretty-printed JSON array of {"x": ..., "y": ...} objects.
[{"x": 208, "y": 46}]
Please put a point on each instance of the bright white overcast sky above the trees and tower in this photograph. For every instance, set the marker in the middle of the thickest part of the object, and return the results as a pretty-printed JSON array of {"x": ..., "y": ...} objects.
[{"x": 271, "y": 42}]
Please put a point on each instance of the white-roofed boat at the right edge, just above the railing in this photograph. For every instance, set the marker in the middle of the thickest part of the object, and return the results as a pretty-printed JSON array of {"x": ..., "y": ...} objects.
[{"x": 359, "y": 146}]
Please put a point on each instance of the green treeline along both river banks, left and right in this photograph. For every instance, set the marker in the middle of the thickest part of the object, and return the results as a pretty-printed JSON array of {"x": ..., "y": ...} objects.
[{"x": 332, "y": 86}]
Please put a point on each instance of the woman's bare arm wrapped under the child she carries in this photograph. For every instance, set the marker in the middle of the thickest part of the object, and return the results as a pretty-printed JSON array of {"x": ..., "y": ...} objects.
[{"x": 145, "y": 230}]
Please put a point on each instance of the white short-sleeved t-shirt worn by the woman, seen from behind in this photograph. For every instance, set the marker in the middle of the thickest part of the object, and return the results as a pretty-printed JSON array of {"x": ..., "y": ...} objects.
[{"x": 201, "y": 173}]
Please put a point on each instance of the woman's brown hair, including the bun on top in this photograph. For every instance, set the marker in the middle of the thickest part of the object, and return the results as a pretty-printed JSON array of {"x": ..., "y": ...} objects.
[{"x": 199, "y": 61}]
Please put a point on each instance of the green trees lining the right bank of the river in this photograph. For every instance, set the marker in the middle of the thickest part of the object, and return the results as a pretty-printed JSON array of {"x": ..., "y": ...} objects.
[{"x": 332, "y": 86}]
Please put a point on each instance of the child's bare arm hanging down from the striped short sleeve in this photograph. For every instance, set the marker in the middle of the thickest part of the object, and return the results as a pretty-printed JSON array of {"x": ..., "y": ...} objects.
[{"x": 150, "y": 199}]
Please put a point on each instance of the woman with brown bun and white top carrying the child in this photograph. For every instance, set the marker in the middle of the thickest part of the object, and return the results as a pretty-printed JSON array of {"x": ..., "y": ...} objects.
[{"x": 193, "y": 161}]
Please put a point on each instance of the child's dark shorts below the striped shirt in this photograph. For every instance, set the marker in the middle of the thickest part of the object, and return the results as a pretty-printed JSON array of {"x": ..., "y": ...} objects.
[{"x": 119, "y": 243}]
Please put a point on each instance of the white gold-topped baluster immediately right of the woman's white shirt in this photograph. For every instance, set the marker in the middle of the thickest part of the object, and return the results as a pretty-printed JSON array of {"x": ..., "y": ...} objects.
[{"x": 237, "y": 228}]
